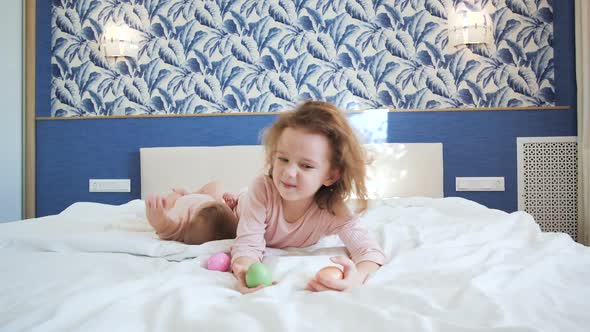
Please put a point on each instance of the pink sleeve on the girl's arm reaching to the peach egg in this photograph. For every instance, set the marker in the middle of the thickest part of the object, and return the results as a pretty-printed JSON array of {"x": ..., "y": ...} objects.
[{"x": 360, "y": 244}]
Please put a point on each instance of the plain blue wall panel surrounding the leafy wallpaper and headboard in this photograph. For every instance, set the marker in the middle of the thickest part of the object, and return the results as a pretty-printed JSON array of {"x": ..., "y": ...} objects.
[{"x": 69, "y": 152}]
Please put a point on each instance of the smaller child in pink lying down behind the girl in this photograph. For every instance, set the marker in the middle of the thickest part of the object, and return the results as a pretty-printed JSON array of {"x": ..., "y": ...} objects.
[{"x": 195, "y": 217}]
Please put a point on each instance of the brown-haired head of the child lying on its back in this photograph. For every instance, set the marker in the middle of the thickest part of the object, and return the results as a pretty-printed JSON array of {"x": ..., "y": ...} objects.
[{"x": 213, "y": 221}]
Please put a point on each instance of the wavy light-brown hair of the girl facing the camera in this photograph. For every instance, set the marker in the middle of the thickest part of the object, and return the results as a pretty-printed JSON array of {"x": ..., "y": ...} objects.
[{"x": 348, "y": 155}]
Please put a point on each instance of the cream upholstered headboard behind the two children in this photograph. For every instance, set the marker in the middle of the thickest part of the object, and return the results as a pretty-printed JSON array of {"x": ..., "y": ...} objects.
[{"x": 397, "y": 170}]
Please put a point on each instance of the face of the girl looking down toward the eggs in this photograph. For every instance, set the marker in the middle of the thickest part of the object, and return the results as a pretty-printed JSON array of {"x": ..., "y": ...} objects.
[{"x": 302, "y": 164}]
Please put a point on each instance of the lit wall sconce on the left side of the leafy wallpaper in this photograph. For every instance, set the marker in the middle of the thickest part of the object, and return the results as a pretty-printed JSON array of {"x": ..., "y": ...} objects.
[{"x": 120, "y": 40}]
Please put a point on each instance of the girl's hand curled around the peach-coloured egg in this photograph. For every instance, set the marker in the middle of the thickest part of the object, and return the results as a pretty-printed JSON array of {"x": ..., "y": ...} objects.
[{"x": 352, "y": 277}]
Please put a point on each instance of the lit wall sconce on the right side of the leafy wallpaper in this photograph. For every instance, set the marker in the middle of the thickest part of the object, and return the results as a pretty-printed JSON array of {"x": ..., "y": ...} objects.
[{"x": 467, "y": 27}]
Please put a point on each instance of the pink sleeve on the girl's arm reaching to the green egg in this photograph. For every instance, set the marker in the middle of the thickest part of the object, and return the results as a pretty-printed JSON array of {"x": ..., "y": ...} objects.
[{"x": 250, "y": 240}]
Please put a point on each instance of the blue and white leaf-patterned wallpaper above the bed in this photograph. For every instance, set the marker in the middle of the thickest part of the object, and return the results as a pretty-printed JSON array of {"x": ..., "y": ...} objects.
[{"x": 211, "y": 56}]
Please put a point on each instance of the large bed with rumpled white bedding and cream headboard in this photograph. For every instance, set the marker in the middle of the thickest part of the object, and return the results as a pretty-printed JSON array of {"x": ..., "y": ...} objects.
[{"x": 455, "y": 265}]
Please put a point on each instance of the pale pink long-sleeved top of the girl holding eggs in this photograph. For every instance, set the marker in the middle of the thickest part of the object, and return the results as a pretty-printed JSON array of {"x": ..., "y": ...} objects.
[{"x": 261, "y": 224}]
